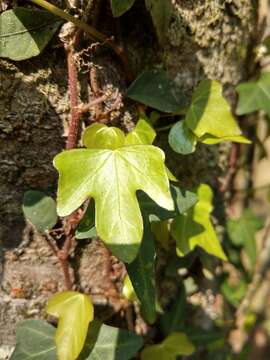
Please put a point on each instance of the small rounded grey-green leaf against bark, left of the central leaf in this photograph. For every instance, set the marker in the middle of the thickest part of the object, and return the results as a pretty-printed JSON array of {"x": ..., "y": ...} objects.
[{"x": 40, "y": 210}]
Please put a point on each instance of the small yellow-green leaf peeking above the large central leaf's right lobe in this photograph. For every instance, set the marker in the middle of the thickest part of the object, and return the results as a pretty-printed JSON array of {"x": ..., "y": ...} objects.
[{"x": 142, "y": 134}]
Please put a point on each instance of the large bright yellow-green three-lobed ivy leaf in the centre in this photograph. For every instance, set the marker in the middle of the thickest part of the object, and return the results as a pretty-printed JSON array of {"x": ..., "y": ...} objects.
[{"x": 112, "y": 177}]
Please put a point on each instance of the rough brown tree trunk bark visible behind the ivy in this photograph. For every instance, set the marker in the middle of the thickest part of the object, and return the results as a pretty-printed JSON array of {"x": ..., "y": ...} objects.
[{"x": 206, "y": 39}]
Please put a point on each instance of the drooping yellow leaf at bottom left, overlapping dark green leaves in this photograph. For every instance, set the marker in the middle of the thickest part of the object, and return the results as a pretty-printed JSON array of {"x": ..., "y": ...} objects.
[{"x": 75, "y": 311}]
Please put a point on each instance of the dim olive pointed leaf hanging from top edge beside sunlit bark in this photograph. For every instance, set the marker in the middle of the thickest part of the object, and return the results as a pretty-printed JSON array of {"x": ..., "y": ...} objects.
[{"x": 161, "y": 13}]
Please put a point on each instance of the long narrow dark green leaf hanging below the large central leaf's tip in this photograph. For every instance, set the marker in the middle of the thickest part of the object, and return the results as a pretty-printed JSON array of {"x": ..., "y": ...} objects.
[{"x": 142, "y": 274}]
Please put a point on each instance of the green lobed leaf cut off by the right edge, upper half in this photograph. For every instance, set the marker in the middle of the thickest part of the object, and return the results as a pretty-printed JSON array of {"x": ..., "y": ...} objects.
[{"x": 254, "y": 95}]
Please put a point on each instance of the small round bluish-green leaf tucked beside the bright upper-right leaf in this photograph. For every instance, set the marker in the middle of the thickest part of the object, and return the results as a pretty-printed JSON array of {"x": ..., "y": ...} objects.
[{"x": 181, "y": 139}]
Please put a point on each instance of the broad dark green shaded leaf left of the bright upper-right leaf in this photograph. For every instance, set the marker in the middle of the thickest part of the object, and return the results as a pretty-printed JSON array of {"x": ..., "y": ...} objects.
[{"x": 153, "y": 88}]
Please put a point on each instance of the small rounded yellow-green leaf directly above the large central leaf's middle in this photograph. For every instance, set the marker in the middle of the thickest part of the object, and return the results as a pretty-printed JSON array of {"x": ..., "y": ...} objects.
[{"x": 99, "y": 136}]
